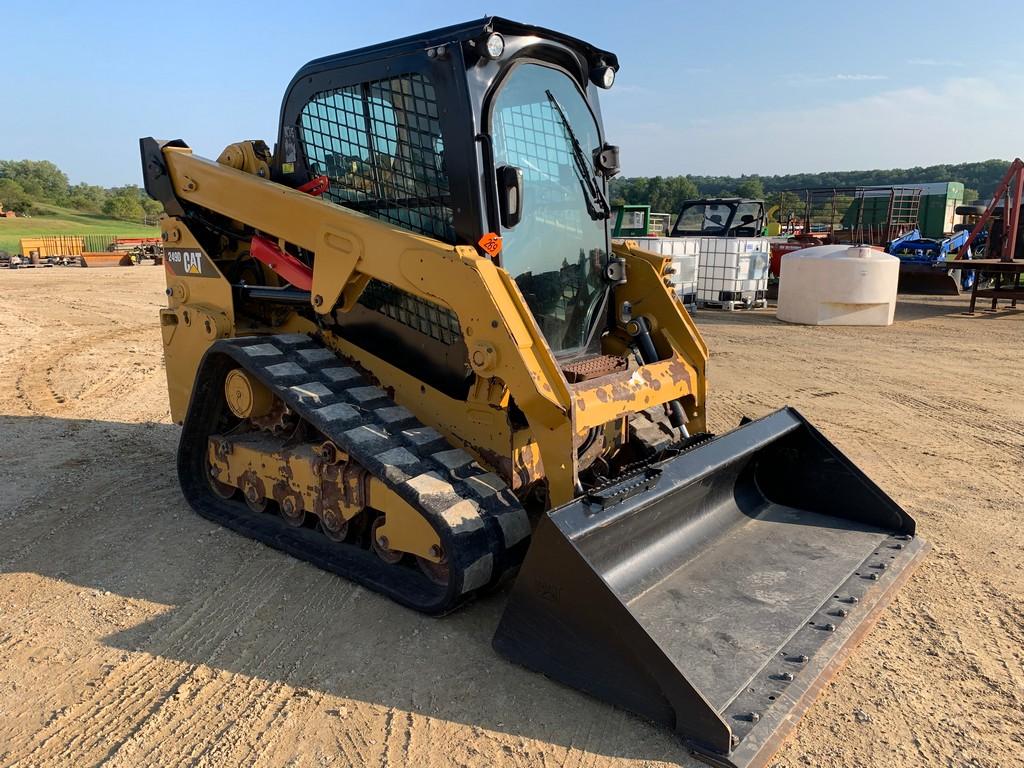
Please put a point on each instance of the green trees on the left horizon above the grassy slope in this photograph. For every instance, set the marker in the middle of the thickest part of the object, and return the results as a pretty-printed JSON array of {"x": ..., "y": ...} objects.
[{"x": 27, "y": 184}]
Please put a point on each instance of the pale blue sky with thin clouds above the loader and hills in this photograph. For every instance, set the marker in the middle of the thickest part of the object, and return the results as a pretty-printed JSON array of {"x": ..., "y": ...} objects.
[{"x": 705, "y": 88}]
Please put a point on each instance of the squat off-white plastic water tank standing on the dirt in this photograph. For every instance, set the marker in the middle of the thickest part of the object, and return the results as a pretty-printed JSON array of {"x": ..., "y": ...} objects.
[{"x": 838, "y": 286}]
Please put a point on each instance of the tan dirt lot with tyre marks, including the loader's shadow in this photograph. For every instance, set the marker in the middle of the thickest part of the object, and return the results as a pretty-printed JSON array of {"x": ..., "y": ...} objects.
[{"x": 135, "y": 633}]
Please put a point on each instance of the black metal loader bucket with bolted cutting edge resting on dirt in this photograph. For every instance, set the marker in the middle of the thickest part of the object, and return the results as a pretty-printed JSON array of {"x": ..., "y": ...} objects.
[{"x": 717, "y": 592}]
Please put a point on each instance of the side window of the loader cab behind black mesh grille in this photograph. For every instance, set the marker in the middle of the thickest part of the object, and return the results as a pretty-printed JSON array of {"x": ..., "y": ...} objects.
[{"x": 381, "y": 145}]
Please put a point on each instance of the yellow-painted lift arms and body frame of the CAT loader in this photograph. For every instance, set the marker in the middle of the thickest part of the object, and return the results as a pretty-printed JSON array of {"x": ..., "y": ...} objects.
[{"x": 507, "y": 352}]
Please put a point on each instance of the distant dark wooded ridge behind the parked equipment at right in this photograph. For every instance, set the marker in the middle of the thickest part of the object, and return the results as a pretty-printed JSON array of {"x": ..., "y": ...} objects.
[{"x": 667, "y": 194}]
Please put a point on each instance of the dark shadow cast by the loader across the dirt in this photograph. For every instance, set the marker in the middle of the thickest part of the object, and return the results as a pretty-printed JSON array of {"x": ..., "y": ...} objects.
[{"x": 237, "y": 606}]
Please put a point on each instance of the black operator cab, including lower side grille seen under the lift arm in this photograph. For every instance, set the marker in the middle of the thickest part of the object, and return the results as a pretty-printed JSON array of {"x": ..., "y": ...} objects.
[{"x": 468, "y": 135}]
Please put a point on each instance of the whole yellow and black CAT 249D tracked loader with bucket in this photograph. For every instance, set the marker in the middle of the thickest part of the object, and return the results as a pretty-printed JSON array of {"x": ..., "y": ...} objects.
[{"x": 402, "y": 348}]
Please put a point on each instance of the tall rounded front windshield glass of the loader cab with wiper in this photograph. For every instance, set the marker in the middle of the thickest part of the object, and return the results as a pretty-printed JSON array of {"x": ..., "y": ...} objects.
[{"x": 558, "y": 251}]
